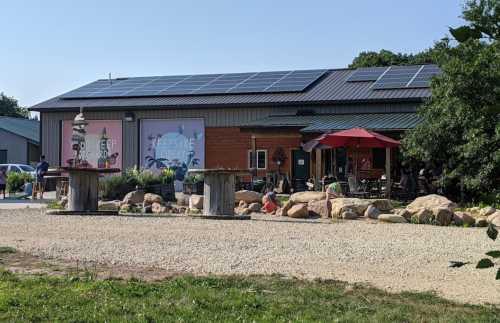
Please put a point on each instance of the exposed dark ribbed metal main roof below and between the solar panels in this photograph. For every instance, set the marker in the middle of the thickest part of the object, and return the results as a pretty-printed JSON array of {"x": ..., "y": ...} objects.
[{"x": 332, "y": 88}]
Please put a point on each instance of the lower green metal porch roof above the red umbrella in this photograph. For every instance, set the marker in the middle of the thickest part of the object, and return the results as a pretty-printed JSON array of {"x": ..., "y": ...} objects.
[{"x": 331, "y": 122}]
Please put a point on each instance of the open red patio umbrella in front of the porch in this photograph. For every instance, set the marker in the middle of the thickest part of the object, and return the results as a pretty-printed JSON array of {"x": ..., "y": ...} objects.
[{"x": 357, "y": 138}]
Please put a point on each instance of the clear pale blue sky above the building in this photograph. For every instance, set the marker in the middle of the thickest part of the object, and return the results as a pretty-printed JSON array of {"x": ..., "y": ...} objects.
[{"x": 50, "y": 47}]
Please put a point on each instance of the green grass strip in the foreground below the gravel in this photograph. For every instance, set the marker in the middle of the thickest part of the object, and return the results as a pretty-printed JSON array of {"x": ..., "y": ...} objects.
[{"x": 229, "y": 299}]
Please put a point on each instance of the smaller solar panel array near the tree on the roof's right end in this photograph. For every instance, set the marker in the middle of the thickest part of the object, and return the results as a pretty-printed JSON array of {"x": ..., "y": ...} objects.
[{"x": 402, "y": 77}]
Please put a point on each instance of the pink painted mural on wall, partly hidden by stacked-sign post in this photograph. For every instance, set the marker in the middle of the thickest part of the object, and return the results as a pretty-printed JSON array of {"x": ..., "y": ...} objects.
[{"x": 103, "y": 144}]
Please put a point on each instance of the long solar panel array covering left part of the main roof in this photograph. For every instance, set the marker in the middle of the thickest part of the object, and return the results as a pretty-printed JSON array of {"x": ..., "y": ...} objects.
[{"x": 264, "y": 82}]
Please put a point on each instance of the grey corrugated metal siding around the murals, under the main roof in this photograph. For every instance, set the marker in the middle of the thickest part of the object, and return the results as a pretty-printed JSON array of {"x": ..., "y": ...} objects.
[{"x": 213, "y": 117}]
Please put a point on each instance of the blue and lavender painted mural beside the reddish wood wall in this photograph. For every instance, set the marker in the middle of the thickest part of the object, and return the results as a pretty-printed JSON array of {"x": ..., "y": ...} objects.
[{"x": 178, "y": 144}]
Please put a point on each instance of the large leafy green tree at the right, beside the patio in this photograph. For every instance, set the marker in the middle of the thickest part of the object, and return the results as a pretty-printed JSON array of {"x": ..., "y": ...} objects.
[{"x": 460, "y": 128}]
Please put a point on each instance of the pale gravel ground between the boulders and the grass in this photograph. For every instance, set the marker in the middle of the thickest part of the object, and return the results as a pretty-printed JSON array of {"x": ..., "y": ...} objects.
[{"x": 395, "y": 257}]
